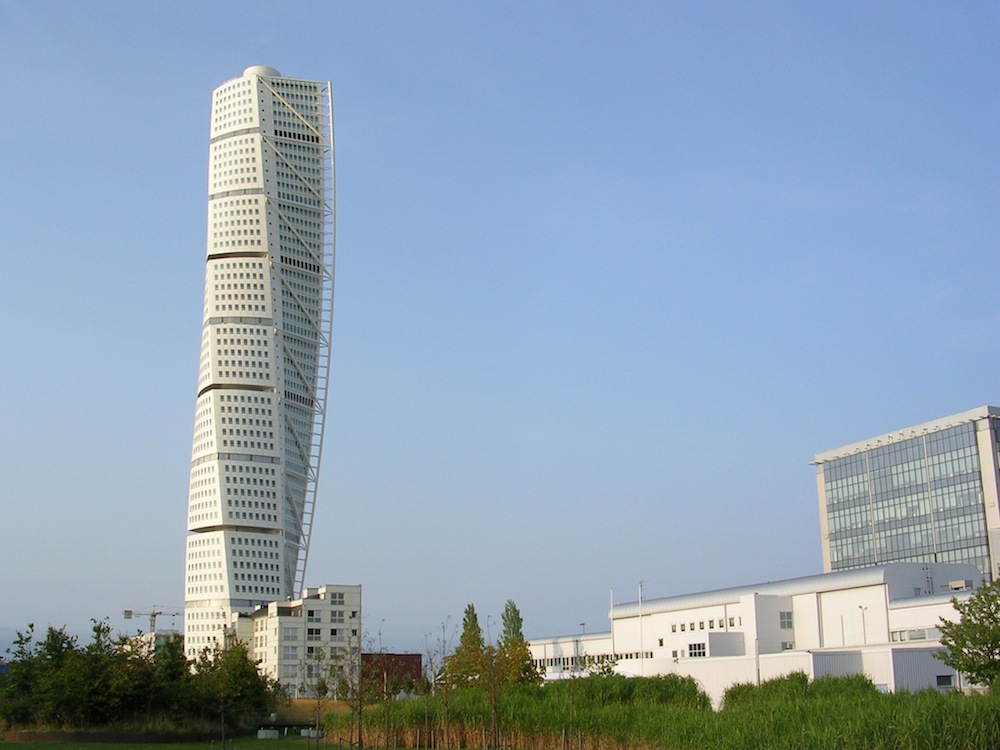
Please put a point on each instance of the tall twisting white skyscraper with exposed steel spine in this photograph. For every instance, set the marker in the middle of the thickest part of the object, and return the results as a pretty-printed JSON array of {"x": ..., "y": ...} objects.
[{"x": 262, "y": 378}]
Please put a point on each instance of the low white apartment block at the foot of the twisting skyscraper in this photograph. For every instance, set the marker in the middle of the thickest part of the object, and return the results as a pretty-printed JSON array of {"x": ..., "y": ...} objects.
[{"x": 300, "y": 641}]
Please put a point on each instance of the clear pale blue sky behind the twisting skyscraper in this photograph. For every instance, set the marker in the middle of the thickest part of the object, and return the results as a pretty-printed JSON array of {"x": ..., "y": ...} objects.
[{"x": 609, "y": 275}]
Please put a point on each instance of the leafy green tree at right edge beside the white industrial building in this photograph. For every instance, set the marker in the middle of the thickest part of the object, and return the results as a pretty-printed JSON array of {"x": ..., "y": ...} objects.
[{"x": 973, "y": 641}]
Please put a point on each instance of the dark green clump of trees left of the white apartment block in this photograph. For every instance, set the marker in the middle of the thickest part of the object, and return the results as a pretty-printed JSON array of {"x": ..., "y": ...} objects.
[{"x": 54, "y": 682}]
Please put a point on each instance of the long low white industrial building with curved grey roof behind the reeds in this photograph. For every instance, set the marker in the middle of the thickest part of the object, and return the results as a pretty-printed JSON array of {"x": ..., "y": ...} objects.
[{"x": 879, "y": 621}]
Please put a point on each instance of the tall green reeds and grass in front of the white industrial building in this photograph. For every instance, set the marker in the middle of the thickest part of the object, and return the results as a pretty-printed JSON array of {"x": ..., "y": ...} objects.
[{"x": 613, "y": 712}]
